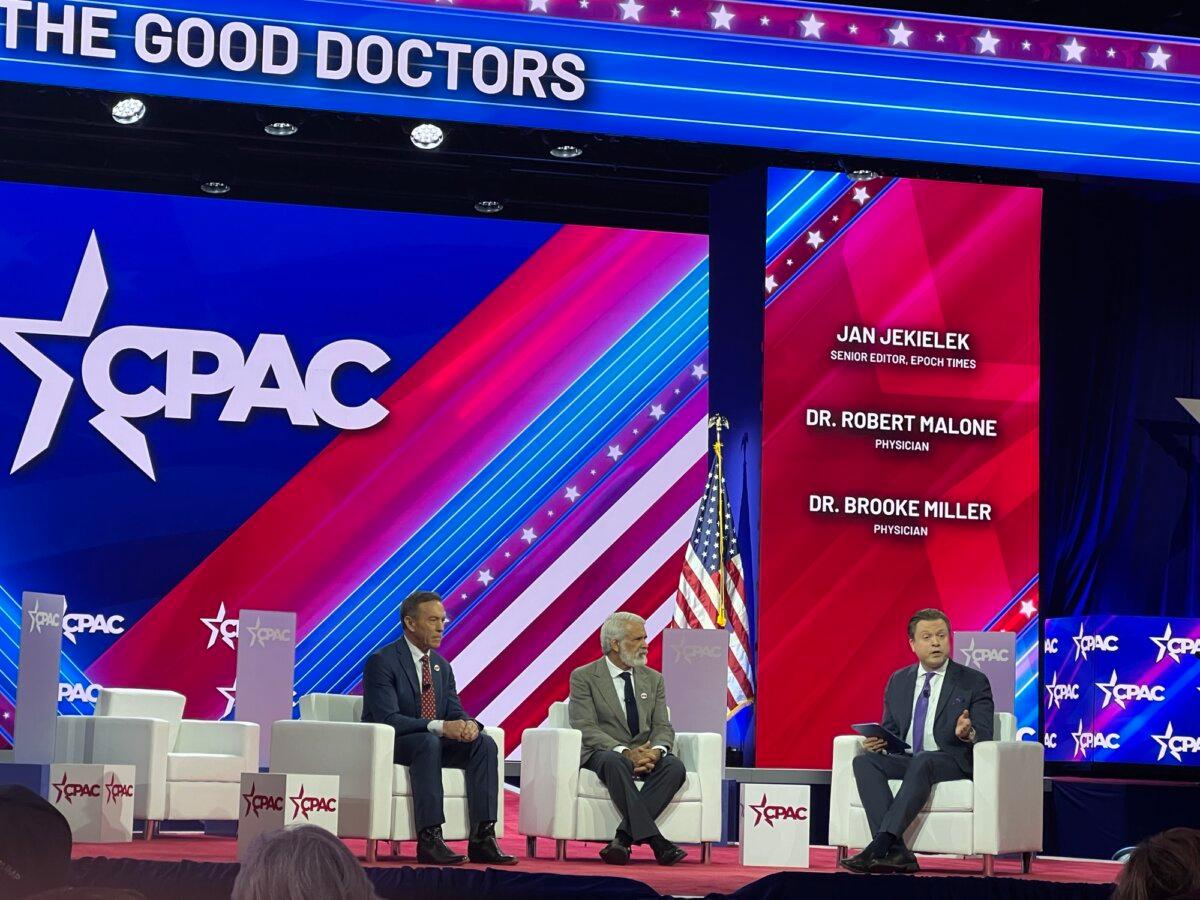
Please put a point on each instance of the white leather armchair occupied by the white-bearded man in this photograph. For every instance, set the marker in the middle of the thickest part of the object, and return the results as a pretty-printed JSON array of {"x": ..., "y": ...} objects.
[{"x": 565, "y": 802}]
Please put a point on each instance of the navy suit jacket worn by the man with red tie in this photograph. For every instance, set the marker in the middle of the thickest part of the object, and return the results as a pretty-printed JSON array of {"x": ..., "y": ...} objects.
[{"x": 392, "y": 689}]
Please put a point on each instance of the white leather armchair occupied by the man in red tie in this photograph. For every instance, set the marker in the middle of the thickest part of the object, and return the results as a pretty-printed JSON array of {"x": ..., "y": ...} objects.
[{"x": 376, "y": 800}]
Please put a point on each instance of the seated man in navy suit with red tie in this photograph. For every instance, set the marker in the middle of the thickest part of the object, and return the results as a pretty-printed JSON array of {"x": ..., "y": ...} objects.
[{"x": 411, "y": 688}]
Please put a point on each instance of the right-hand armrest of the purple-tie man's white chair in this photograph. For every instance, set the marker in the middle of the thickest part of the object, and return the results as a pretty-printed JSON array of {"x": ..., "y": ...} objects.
[{"x": 1009, "y": 796}]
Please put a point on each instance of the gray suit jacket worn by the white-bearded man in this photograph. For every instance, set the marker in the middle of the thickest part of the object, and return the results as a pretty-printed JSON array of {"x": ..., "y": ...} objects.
[{"x": 598, "y": 713}]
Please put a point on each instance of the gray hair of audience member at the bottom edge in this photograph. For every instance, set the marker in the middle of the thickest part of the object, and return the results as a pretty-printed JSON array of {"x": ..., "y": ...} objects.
[{"x": 298, "y": 865}]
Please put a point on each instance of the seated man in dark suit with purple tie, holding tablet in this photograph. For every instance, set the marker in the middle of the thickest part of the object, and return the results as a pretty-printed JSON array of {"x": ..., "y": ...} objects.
[{"x": 943, "y": 711}]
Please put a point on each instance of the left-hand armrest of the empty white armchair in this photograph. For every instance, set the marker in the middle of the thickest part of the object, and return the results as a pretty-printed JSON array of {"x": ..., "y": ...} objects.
[{"x": 116, "y": 740}]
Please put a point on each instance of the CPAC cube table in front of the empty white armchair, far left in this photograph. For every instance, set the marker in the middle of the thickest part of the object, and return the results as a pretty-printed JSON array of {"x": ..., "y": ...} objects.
[{"x": 97, "y": 801}]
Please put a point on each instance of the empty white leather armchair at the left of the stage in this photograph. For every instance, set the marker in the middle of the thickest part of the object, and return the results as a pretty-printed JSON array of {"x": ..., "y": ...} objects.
[{"x": 185, "y": 769}]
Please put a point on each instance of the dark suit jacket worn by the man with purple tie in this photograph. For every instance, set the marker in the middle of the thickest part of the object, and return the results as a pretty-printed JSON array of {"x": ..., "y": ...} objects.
[{"x": 963, "y": 689}]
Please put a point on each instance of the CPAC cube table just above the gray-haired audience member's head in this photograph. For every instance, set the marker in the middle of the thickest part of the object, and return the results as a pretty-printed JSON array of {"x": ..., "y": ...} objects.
[{"x": 272, "y": 801}]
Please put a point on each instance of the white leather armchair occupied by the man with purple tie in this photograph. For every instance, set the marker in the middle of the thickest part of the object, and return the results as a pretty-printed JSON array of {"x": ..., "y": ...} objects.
[{"x": 1000, "y": 812}]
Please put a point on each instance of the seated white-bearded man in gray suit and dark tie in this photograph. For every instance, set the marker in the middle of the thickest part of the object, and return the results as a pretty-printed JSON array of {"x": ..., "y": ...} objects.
[{"x": 621, "y": 706}]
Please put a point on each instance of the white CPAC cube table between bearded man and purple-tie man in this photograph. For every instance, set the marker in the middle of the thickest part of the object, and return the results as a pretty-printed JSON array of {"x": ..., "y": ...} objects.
[{"x": 776, "y": 826}]
